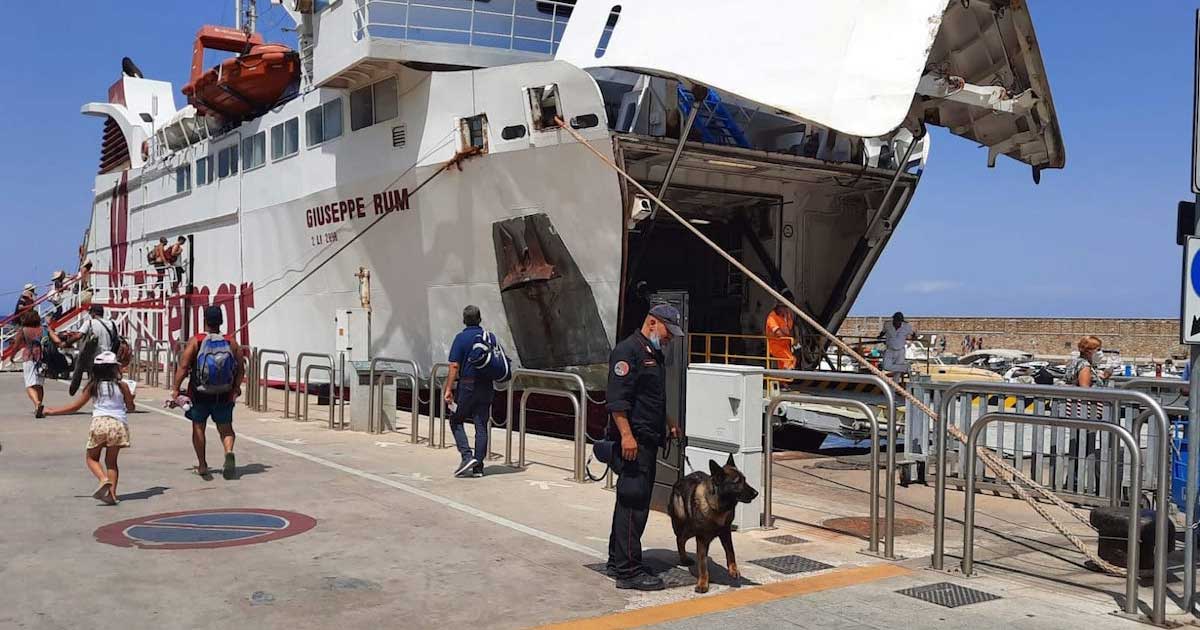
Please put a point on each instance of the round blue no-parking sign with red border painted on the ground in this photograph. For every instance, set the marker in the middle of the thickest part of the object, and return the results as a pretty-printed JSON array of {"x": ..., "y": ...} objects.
[{"x": 201, "y": 530}]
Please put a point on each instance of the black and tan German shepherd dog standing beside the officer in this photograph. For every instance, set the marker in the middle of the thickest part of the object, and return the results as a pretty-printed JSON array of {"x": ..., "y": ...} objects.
[{"x": 703, "y": 508}]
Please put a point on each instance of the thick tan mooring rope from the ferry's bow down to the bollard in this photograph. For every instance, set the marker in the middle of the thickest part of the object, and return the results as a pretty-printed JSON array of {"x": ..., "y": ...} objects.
[{"x": 1015, "y": 479}]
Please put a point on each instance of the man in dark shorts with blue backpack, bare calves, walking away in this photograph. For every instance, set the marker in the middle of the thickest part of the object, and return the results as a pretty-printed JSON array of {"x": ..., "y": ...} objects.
[{"x": 213, "y": 368}]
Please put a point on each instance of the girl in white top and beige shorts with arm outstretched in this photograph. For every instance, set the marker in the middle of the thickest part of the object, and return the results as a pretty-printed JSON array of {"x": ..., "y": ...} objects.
[{"x": 110, "y": 422}]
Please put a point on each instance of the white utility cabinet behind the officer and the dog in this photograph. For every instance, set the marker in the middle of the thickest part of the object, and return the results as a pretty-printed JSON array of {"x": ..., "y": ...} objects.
[{"x": 725, "y": 417}]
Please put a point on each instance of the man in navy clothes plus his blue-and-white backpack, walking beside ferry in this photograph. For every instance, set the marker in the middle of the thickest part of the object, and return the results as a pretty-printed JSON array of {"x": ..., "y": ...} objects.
[{"x": 477, "y": 364}]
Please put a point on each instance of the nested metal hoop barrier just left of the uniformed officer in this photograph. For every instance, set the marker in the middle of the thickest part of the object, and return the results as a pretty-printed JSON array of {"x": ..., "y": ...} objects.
[{"x": 573, "y": 391}]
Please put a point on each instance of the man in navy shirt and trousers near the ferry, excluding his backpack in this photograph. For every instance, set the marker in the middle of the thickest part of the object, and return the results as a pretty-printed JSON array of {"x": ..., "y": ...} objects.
[{"x": 473, "y": 397}]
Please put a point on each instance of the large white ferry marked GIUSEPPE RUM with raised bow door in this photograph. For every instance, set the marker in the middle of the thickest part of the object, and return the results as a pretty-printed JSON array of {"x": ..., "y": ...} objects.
[{"x": 793, "y": 133}]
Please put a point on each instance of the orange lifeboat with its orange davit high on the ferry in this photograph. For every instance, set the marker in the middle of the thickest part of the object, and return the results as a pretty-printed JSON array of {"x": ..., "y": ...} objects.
[{"x": 241, "y": 87}]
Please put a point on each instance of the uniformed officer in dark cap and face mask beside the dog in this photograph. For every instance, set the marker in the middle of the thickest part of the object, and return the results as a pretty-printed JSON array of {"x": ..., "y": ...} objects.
[{"x": 638, "y": 404}]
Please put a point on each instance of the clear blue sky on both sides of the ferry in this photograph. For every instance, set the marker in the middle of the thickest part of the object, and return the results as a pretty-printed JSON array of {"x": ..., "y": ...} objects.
[{"x": 1093, "y": 241}]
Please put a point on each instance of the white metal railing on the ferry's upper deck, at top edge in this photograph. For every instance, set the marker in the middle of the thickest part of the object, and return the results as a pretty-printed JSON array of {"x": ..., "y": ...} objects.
[{"x": 529, "y": 27}]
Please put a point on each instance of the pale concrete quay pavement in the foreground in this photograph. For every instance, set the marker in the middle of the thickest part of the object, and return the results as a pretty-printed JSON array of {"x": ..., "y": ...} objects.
[{"x": 397, "y": 542}]
